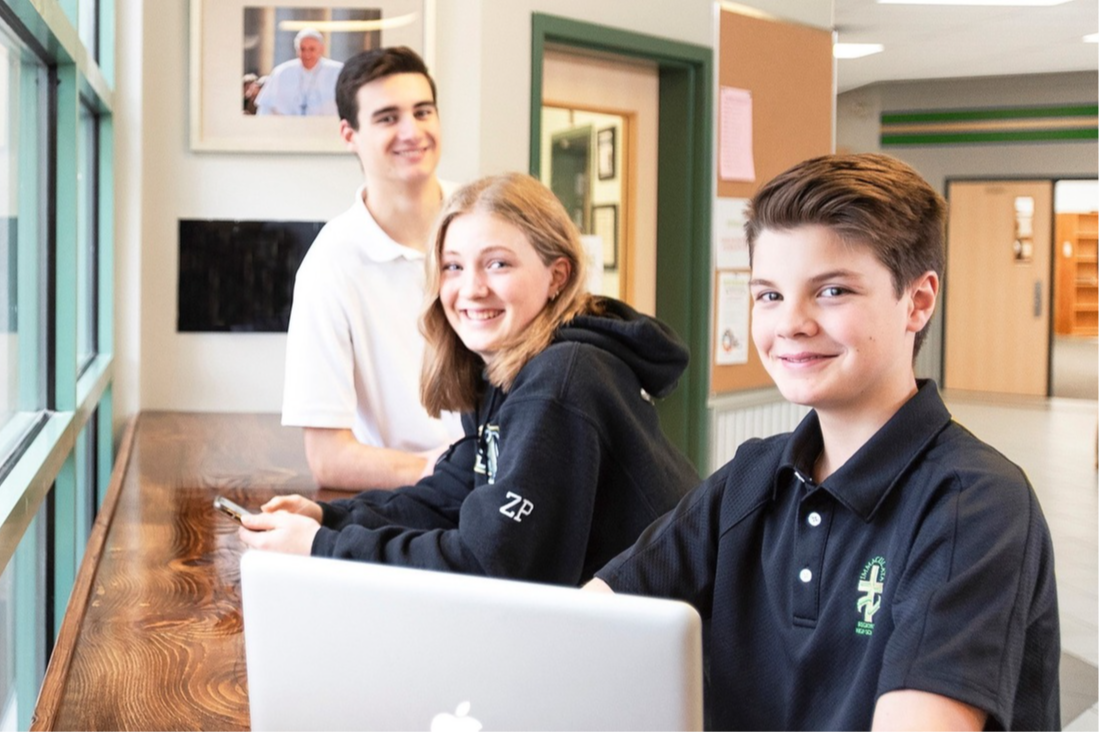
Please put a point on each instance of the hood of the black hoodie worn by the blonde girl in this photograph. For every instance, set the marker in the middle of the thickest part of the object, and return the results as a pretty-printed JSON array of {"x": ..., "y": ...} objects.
[{"x": 648, "y": 347}]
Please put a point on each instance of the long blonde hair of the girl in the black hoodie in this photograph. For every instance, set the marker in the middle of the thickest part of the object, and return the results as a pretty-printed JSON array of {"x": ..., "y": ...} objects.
[{"x": 451, "y": 378}]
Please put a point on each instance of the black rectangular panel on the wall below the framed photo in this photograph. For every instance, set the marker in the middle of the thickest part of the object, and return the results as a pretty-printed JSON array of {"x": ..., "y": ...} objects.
[{"x": 239, "y": 275}]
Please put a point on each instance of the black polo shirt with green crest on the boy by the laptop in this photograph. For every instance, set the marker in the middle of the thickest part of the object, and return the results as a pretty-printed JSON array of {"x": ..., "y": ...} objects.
[{"x": 924, "y": 563}]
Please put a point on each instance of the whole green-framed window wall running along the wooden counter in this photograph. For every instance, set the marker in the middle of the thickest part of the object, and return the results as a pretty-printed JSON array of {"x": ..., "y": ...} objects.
[{"x": 55, "y": 324}]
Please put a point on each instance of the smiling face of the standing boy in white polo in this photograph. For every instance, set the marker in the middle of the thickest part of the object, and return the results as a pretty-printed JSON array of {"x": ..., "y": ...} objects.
[{"x": 398, "y": 138}]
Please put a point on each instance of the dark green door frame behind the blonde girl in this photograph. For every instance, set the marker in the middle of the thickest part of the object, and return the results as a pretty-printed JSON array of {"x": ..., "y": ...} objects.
[{"x": 684, "y": 194}]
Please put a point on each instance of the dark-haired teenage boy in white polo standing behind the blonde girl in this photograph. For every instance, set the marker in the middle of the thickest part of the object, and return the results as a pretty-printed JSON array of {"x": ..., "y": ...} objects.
[{"x": 354, "y": 350}]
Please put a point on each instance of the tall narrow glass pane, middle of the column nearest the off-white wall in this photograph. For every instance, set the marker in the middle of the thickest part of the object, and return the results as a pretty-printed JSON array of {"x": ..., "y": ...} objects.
[{"x": 87, "y": 241}]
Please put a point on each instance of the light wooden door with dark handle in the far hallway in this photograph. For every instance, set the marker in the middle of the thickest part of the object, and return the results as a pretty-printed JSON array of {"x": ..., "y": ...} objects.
[{"x": 997, "y": 287}]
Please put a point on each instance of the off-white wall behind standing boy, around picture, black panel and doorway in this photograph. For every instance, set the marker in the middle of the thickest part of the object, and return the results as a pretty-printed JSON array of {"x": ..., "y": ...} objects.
[{"x": 483, "y": 53}]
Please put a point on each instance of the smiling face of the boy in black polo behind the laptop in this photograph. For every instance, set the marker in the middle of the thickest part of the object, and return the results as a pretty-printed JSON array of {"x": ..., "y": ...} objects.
[{"x": 829, "y": 326}]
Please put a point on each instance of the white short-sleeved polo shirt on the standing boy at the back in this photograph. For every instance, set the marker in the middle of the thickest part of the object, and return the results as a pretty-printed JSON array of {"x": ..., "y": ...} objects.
[{"x": 354, "y": 351}]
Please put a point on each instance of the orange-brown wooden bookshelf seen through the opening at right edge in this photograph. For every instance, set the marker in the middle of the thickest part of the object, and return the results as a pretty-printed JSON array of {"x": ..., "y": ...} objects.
[{"x": 1076, "y": 251}]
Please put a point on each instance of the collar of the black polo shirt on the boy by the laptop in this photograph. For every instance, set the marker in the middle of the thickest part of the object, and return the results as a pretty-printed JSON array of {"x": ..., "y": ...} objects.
[{"x": 863, "y": 483}]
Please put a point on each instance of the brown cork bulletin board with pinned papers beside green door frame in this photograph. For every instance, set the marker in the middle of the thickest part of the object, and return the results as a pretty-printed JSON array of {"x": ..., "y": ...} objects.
[{"x": 789, "y": 71}]
